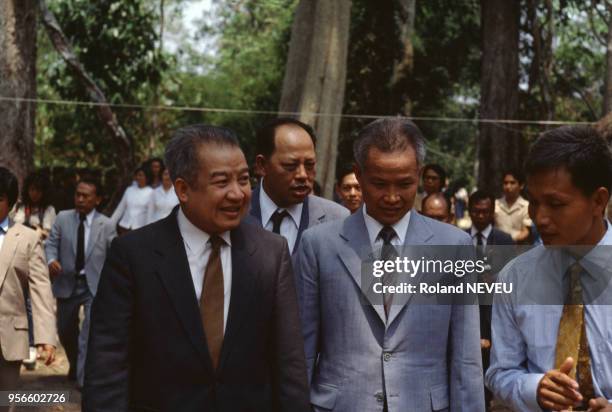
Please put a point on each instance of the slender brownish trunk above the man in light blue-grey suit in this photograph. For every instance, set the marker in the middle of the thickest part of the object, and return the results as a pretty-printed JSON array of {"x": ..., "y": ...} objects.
[{"x": 403, "y": 67}]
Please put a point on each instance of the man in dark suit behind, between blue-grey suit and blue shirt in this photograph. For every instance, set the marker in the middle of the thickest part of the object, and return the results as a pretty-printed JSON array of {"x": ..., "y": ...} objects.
[{"x": 481, "y": 207}]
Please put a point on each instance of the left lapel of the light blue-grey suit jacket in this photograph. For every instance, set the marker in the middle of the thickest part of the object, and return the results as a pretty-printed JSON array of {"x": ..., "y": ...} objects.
[{"x": 358, "y": 253}]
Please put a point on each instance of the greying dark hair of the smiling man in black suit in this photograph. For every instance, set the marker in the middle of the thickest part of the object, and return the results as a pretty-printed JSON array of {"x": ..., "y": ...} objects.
[{"x": 181, "y": 156}]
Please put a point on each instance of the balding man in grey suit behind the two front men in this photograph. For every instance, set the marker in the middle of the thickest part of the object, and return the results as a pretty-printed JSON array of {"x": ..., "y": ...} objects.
[{"x": 286, "y": 161}]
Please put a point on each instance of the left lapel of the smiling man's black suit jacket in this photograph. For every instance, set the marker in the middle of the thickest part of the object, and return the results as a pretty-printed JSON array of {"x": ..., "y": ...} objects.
[{"x": 175, "y": 275}]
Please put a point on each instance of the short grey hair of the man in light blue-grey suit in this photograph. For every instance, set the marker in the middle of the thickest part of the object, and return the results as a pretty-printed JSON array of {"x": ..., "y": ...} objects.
[{"x": 389, "y": 135}]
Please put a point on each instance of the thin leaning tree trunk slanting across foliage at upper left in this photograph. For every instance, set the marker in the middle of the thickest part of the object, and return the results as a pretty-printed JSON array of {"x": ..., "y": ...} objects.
[{"x": 125, "y": 156}]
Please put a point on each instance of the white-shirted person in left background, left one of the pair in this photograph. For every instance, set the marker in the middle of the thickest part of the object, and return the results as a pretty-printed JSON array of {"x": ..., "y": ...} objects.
[{"x": 131, "y": 213}]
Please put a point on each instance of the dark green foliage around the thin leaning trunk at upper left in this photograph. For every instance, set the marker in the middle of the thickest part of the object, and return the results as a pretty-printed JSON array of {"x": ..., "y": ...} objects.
[{"x": 116, "y": 43}]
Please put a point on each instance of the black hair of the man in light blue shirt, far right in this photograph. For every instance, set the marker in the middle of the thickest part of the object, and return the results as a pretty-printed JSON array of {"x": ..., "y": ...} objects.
[{"x": 578, "y": 149}]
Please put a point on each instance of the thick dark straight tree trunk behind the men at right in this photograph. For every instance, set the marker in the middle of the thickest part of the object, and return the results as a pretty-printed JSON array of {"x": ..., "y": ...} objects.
[{"x": 499, "y": 146}]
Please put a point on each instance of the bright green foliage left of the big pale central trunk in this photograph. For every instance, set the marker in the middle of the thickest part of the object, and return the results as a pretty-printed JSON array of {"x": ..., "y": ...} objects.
[{"x": 246, "y": 73}]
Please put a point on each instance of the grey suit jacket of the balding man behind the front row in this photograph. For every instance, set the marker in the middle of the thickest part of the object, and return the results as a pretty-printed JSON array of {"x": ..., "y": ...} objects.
[{"x": 316, "y": 210}]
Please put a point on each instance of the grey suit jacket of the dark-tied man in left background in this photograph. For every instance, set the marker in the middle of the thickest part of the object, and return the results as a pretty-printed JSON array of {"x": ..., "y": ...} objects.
[{"x": 62, "y": 244}]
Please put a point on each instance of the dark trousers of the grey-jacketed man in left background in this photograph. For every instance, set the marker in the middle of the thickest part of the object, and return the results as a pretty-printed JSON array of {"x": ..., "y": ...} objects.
[{"x": 73, "y": 339}]
